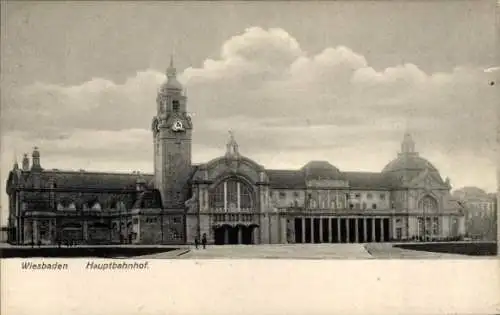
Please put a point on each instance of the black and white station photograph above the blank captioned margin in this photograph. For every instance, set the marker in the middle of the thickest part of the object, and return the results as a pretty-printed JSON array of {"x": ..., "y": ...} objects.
[{"x": 249, "y": 130}]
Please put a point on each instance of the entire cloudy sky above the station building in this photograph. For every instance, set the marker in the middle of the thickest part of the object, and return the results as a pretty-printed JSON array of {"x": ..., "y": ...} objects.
[{"x": 295, "y": 81}]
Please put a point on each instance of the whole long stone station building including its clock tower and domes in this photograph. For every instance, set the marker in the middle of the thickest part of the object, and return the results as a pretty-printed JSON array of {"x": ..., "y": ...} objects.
[{"x": 231, "y": 199}]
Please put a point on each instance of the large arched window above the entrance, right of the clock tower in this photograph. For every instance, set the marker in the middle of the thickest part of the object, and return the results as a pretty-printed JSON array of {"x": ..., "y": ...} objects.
[{"x": 232, "y": 195}]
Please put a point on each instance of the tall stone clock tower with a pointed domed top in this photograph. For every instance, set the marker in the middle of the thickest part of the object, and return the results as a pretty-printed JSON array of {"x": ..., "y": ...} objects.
[{"x": 172, "y": 129}]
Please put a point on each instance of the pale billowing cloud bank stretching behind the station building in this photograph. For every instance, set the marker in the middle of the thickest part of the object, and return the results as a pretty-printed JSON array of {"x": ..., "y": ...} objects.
[{"x": 281, "y": 100}]
